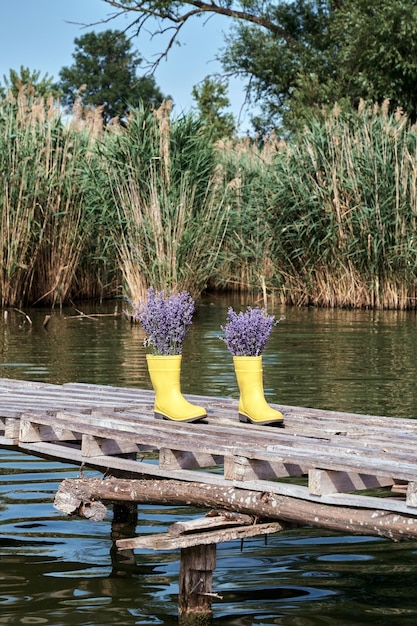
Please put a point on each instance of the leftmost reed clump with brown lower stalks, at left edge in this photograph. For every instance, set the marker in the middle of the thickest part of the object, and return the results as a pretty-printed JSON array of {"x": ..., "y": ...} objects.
[{"x": 41, "y": 198}]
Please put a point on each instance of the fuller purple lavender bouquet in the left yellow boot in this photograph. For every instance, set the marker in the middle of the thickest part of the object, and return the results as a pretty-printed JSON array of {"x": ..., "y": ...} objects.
[{"x": 165, "y": 319}]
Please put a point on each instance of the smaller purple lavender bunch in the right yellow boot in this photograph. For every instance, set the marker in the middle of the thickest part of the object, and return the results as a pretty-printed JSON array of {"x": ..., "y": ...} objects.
[{"x": 246, "y": 334}]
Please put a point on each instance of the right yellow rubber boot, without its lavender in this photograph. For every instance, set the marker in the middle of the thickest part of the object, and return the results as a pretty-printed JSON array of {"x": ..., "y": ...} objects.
[{"x": 252, "y": 404}]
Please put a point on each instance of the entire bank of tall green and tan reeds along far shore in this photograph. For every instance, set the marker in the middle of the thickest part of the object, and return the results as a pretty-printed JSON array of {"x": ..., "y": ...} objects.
[{"x": 327, "y": 219}]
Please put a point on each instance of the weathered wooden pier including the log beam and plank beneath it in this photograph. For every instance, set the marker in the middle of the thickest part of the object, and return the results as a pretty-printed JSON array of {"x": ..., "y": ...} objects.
[{"x": 340, "y": 471}]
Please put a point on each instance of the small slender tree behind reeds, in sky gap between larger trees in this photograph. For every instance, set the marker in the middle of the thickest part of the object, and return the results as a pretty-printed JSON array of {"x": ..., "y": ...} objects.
[{"x": 211, "y": 99}]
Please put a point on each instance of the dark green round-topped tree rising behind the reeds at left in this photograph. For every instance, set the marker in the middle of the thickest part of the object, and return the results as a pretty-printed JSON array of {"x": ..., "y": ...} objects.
[{"x": 104, "y": 75}]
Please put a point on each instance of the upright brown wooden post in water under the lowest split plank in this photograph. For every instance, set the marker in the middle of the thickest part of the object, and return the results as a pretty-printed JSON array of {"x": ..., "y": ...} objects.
[{"x": 195, "y": 592}]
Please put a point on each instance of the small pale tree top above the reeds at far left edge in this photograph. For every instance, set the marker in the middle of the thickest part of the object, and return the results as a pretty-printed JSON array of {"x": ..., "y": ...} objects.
[{"x": 30, "y": 82}]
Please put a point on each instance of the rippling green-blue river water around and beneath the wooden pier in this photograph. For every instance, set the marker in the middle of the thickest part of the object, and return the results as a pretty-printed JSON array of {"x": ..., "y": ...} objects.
[{"x": 58, "y": 571}]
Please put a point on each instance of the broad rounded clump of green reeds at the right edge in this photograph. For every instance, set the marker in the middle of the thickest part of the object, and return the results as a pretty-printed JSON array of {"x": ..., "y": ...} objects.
[{"x": 344, "y": 216}]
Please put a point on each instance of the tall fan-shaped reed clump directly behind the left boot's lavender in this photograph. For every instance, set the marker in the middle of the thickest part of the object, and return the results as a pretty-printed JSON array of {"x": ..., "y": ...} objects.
[{"x": 170, "y": 203}]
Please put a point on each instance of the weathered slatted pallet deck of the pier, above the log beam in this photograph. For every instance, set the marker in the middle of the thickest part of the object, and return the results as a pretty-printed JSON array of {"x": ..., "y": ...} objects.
[{"x": 320, "y": 457}]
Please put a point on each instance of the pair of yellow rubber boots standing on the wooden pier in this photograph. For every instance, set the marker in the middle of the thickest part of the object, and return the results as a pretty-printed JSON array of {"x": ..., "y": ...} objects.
[{"x": 170, "y": 404}]
